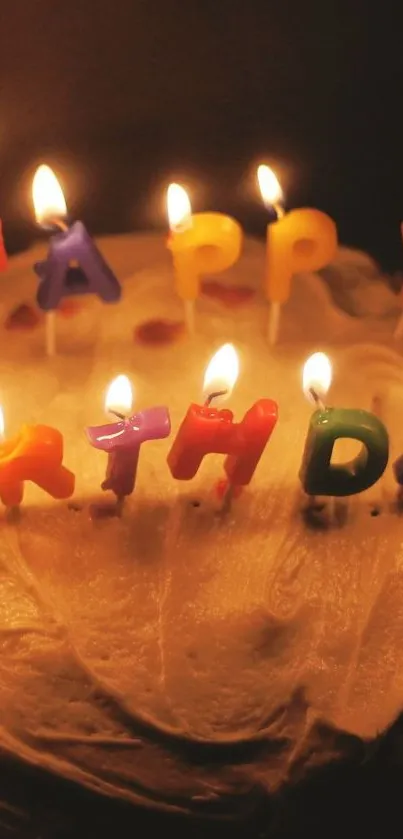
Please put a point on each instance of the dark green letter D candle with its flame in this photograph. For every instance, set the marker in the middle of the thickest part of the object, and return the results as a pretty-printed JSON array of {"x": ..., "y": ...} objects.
[{"x": 319, "y": 476}]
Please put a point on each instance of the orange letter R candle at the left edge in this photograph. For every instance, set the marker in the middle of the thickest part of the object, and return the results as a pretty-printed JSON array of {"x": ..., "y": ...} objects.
[{"x": 35, "y": 454}]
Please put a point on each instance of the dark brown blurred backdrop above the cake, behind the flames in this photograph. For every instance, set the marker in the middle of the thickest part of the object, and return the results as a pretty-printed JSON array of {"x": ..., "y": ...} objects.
[{"x": 122, "y": 97}]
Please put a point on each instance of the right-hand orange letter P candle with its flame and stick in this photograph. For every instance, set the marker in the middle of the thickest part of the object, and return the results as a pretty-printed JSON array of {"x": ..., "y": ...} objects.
[{"x": 302, "y": 240}]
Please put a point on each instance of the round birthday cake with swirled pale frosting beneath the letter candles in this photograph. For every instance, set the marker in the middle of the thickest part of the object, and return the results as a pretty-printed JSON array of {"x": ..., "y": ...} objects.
[{"x": 173, "y": 662}]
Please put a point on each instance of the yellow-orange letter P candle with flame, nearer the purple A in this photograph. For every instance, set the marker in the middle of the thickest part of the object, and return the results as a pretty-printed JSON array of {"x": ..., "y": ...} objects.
[{"x": 204, "y": 243}]
